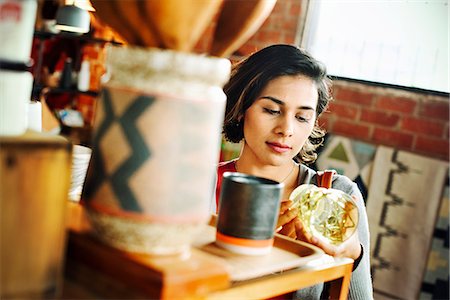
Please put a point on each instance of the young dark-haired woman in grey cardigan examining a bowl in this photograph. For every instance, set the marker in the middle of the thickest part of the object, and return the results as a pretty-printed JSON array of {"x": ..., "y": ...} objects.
[{"x": 274, "y": 98}]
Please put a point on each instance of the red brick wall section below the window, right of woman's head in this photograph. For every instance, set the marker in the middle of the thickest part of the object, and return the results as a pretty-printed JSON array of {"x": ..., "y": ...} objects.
[{"x": 413, "y": 121}]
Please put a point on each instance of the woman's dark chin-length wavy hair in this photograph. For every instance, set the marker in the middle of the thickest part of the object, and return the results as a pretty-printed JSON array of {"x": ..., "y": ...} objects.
[{"x": 250, "y": 76}]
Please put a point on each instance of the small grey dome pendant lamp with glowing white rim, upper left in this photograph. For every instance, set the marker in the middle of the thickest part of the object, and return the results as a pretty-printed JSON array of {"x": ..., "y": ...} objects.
[{"x": 71, "y": 18}]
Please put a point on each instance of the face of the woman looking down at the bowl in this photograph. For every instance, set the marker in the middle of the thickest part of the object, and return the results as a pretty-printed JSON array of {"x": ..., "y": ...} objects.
[{"x": 278, "y": 123}]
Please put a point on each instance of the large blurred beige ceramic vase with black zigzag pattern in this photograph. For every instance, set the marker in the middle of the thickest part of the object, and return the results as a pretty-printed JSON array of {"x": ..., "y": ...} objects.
[{"x": 156, "y": 145}]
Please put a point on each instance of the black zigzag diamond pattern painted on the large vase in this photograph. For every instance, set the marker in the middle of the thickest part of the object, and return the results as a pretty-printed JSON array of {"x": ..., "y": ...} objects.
[{"x": 140, "y": 151}]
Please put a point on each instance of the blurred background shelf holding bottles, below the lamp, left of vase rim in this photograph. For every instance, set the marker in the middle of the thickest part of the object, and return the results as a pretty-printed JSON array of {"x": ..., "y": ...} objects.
[{"x": 52, "y": 52}]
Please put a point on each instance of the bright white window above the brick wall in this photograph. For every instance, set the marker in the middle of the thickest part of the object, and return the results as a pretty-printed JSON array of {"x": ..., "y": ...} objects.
[{"x": 394, "y": 42}]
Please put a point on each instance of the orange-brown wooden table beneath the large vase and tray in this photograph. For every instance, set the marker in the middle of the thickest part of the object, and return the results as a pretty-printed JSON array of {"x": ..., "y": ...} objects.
[{"x": 95, "y": 270}]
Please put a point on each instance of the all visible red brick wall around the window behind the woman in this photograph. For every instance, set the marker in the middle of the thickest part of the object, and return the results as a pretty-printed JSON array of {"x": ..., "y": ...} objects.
[{"x": 413, "y": 121}]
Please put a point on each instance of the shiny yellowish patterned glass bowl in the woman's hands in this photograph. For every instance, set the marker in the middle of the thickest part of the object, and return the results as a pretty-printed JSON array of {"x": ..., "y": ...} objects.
[{"x": 328, "y": 214}]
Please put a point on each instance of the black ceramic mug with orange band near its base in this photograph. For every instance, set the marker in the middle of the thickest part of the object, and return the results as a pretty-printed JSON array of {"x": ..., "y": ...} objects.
[{"x": 248, "y": 213}]
